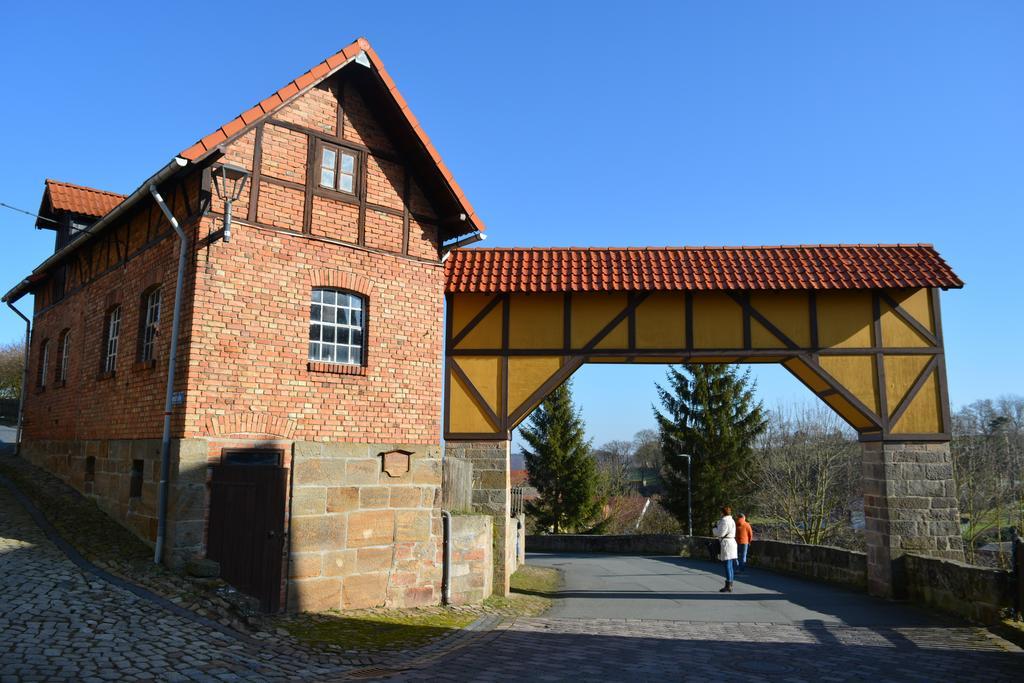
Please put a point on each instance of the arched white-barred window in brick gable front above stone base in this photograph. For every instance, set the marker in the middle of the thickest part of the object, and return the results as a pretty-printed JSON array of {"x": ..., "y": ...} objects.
[{"x": 337, "y": 325}]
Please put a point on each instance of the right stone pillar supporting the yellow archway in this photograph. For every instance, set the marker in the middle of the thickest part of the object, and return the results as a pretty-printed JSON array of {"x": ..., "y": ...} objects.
[{"x": 911, "y": 506}]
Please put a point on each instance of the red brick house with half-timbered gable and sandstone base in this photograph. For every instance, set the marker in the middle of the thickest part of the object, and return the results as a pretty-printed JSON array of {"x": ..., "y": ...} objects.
[{"x": 305, "y": 449}]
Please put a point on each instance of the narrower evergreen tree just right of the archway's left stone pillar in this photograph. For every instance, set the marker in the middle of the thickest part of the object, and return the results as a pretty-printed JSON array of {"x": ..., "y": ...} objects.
[{"x": 561, "y": 465}]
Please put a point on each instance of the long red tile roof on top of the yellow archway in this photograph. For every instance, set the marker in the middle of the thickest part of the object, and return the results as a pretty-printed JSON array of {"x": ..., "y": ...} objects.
[{"x": 678, "y": 269}]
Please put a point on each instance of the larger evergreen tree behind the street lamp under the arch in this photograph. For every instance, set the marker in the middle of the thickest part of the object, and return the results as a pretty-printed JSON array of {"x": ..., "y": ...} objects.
[{"x": 709, "y": 413}]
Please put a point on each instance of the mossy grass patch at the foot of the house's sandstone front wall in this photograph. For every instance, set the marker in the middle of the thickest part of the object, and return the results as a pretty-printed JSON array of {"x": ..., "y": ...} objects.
[{"x": 385, "y": 630}]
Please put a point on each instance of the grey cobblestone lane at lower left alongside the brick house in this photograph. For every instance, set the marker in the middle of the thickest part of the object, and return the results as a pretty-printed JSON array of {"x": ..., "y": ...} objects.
[{"x": 58, "y": 624}]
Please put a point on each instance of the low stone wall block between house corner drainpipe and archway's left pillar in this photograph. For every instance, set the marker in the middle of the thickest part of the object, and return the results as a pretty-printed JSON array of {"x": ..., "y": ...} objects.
[{"x": 473, "y": 559}]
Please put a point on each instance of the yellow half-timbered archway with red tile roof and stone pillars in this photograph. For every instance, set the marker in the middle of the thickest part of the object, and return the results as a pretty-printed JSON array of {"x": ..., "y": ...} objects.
[{"x": 860, "y": 326}]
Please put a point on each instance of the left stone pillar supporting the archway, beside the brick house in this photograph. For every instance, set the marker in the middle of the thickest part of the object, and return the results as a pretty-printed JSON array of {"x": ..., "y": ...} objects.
[{"x": 492, "y": 496}]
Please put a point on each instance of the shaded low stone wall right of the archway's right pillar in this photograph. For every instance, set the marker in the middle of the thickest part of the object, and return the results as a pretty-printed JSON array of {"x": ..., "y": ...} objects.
[{"x": 979, "y": 594}]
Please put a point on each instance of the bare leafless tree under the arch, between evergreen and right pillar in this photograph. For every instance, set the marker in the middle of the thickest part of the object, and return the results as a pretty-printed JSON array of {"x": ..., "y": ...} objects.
[{"x": 806, "y": 475}]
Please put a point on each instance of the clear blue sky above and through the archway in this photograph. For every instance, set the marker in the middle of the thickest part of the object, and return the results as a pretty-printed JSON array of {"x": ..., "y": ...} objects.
[{"x": 675, "y": 123}]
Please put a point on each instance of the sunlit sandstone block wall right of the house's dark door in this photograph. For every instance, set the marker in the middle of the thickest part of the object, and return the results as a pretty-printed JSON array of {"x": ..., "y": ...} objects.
[{"x": 360, "y": 537}]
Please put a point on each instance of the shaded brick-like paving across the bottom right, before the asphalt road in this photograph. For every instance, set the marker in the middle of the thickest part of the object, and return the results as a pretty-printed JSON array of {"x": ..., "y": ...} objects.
[{"x": 562, "y": 650}]
